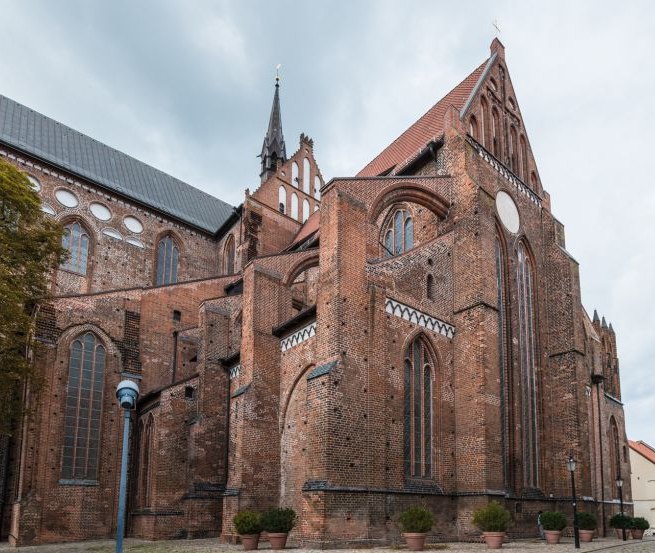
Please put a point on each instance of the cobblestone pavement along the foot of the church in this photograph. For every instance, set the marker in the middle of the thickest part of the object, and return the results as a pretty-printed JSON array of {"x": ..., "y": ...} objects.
[{"x": 609, "y": 545}]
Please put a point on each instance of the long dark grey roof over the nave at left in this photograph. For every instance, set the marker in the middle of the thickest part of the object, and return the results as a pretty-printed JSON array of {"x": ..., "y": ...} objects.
[{"x": 50, "y": 141}]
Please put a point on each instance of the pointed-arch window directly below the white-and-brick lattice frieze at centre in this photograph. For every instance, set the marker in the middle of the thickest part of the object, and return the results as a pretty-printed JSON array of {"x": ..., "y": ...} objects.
[{"x": 419, "y": 367}]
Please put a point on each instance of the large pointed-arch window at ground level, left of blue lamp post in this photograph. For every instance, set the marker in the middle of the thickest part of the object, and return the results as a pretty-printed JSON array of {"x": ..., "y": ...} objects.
[{"x": 86, "y": 370}]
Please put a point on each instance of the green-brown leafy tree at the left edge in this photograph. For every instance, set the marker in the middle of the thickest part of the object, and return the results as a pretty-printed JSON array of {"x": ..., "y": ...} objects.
[{"x": 30, "y": 249}]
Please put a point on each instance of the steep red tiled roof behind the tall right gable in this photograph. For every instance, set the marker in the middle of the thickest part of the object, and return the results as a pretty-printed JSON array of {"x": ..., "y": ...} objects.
[{"x": 427, "y": 128}]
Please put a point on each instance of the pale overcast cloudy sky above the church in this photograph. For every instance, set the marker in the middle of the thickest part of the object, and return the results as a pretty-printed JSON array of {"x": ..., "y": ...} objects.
[{"x": 187, "y": 87}]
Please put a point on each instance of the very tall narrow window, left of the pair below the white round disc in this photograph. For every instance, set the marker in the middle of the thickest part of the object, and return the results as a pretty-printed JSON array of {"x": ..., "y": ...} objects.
[{"x": 501, "y": 306}]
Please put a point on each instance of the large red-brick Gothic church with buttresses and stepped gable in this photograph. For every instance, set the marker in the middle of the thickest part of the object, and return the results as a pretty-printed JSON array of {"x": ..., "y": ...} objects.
[{"x": 413, "y": 334}]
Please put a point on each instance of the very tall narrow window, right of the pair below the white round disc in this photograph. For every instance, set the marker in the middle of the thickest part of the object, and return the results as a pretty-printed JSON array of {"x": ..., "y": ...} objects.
[{"x": 528, "y": 361}]
